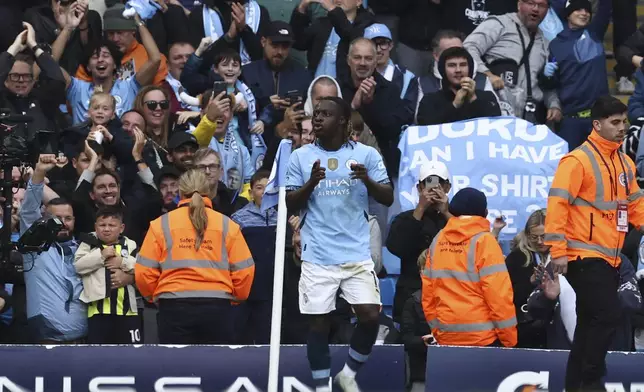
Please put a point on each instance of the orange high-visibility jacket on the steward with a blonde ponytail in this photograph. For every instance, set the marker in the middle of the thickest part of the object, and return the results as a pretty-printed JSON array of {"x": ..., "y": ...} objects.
[{"x": 169, "y": 266}]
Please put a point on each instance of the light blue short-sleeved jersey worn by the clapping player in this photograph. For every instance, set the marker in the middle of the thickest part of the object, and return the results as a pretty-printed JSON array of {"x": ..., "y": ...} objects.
[{"x": 334, "y": 224}]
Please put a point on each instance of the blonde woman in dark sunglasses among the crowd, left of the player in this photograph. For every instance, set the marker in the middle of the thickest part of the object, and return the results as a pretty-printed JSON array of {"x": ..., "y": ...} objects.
[{"x": 153, "y": 103}]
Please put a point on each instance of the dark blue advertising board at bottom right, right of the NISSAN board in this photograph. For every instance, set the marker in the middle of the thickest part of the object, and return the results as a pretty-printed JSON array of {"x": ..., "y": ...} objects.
[{"x": 512, "y": 370}]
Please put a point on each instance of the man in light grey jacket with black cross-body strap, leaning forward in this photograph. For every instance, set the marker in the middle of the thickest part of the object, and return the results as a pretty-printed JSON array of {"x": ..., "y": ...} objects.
[{"x": 504, "y": 48}]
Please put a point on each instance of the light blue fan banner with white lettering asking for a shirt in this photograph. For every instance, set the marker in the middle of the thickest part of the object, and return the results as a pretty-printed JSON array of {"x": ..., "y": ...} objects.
[{"x": 511, "y": 160}]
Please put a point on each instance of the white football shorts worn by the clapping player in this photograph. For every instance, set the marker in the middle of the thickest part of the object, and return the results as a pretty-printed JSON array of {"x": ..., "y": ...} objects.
[{"x": 319, "y": 285}]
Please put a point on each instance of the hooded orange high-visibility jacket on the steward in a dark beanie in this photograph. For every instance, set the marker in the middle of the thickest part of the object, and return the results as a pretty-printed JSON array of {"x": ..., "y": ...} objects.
[{"x": 467, "y": 293}]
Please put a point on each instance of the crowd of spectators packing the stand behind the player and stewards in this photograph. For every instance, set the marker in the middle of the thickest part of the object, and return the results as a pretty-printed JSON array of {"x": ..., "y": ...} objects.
[{"x": 121, "y": 107}]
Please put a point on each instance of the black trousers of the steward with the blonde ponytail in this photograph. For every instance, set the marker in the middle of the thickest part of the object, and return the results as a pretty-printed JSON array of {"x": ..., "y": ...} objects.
[{"x": 196, "y": 321}]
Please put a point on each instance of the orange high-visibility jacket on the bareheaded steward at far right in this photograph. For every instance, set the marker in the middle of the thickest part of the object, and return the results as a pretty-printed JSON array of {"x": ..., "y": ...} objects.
[{"x": 581, "y": 220}]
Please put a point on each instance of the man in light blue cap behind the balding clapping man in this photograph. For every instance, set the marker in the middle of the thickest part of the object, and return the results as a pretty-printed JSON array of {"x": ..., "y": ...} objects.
[{"x": 402, "y": 78}]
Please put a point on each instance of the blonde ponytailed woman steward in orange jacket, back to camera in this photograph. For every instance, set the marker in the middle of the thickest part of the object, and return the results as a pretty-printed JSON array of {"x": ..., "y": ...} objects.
[{"x": 193, "y": 262}]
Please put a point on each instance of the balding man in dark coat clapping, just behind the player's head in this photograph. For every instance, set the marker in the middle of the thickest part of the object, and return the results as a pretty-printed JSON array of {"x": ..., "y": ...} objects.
[{"x": 377, "y": 100}]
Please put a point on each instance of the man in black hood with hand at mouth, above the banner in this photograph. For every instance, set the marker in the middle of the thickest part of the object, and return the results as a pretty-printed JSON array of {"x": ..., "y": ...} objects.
[{"x": 459, "y": 99}]
